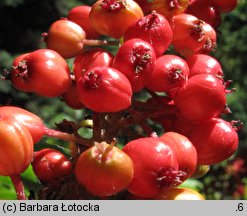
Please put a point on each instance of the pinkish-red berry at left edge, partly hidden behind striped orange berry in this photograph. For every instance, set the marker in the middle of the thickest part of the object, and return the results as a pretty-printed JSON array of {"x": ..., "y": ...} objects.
[{"x": 31, "y": 121}]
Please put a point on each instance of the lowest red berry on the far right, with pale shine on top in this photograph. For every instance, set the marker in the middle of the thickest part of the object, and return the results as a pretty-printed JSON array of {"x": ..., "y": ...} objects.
[{"x": 215, "y": 140}]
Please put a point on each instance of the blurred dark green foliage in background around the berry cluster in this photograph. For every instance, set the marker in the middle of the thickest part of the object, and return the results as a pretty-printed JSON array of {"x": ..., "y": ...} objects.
[{"x": 21, "y": 25}]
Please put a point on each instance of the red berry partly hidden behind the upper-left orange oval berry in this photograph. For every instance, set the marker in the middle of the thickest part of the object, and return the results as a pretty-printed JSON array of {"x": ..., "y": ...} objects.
[{"x": 80, "y": 16}]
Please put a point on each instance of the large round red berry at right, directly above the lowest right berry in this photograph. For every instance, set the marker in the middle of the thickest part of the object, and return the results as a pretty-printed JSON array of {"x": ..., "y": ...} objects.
[{"x": 201, "y": 98}]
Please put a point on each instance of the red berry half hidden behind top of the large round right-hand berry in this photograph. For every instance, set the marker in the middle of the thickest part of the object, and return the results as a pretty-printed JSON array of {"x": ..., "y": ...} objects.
[{"x": 204, "y": 64}]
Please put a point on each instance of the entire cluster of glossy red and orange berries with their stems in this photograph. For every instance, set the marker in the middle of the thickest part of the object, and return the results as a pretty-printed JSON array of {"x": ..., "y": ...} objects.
[{"x": 190, "y": 109}]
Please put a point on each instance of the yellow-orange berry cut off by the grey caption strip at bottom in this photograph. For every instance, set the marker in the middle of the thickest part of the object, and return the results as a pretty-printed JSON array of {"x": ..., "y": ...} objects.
[{"x": 180, "y": 194}]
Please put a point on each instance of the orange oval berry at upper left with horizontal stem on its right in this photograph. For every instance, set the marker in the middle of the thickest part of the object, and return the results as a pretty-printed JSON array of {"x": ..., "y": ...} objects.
[{"x": 65, "y": 37}]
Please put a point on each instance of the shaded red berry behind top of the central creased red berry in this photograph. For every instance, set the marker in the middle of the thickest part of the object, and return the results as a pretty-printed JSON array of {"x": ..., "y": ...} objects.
[{"x": 91, "y": 58}]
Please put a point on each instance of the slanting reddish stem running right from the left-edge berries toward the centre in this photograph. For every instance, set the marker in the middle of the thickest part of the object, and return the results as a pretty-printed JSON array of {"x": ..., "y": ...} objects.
[{"x": 67, "y": 137}]
